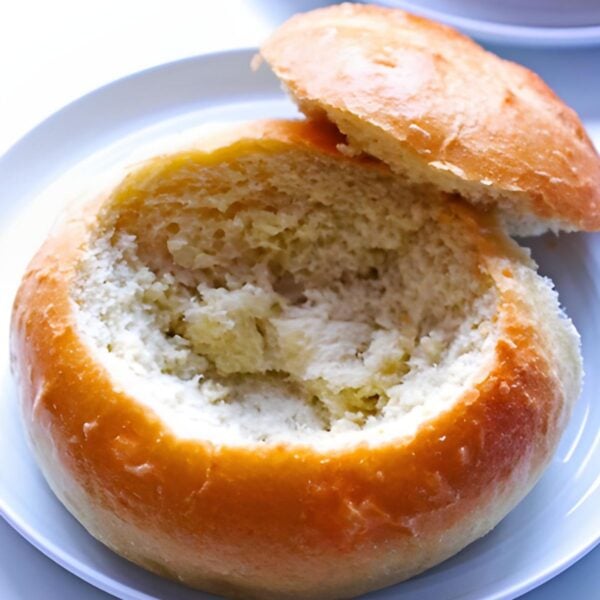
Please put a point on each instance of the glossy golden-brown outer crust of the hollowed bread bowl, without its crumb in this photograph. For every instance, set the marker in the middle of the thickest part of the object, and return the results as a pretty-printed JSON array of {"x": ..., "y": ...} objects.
[{"x": 288, "y": 521}]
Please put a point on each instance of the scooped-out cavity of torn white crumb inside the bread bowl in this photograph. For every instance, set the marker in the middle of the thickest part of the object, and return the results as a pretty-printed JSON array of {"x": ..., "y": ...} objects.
[{"x": 285, "y": 297}]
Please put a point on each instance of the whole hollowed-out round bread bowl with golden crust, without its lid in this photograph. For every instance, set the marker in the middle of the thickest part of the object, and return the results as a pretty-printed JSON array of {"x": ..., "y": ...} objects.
[{"x": 270, "y": 370}]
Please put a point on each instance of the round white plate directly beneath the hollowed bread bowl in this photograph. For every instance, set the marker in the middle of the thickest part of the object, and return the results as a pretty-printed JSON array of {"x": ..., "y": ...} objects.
[{"x": 554, "y": 526}]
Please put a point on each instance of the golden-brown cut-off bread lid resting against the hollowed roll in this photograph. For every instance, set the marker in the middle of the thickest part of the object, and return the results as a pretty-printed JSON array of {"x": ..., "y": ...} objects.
[{"x": 438, "y": 108}]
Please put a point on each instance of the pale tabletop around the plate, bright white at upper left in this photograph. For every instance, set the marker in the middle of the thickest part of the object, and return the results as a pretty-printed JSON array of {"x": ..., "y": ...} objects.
[{"x": 53, "y": 52}]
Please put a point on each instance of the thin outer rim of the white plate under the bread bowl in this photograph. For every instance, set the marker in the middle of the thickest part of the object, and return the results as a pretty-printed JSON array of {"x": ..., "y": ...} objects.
[{"x": 92, "y": 576}]
